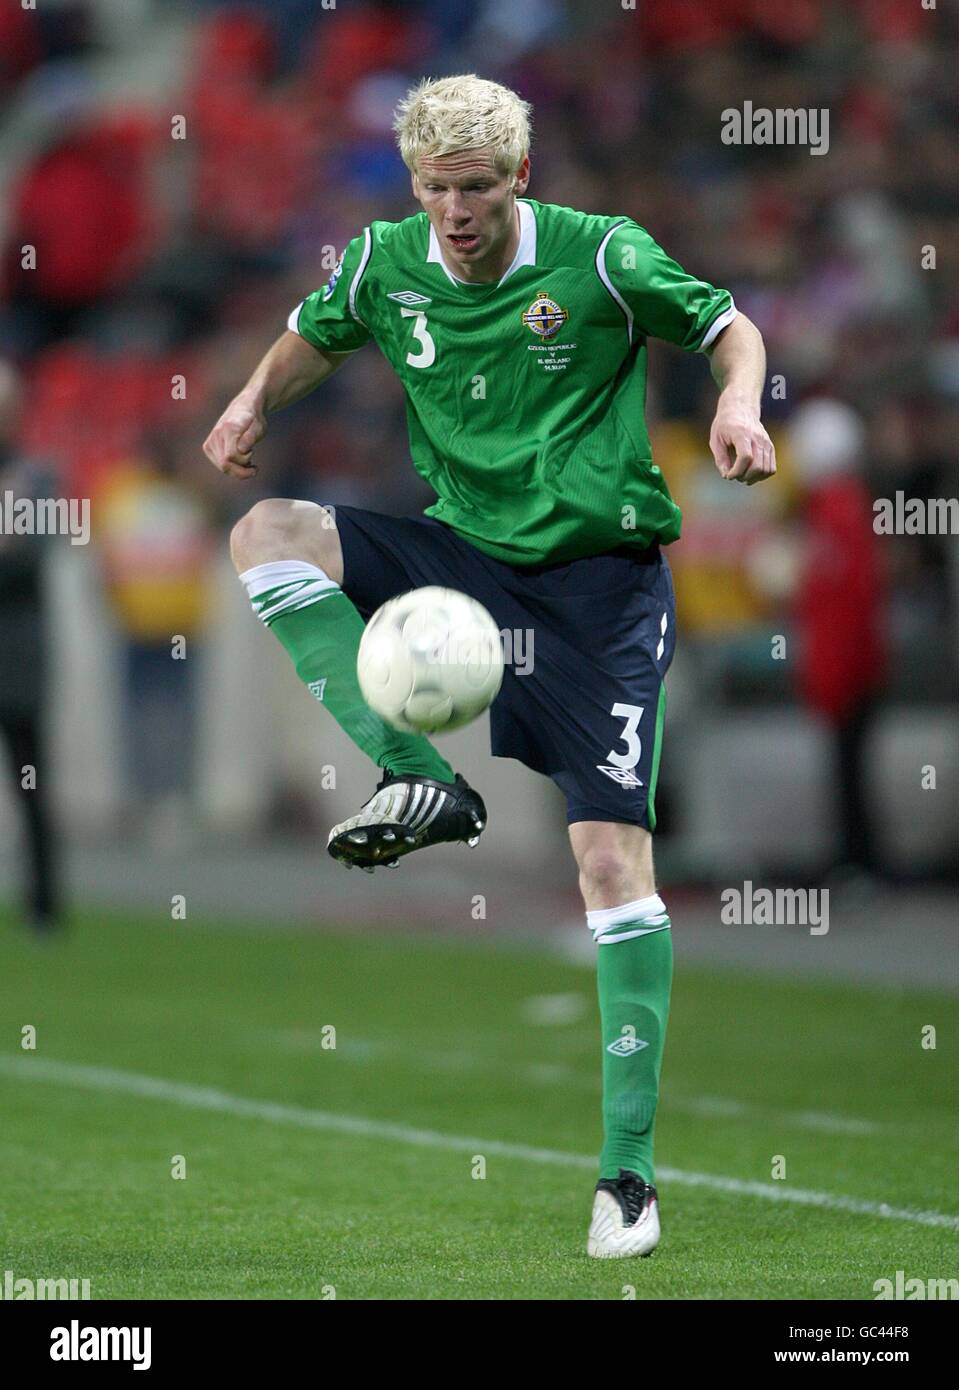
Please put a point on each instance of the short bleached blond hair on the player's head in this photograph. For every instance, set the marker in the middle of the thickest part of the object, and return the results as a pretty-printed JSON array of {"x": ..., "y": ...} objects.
[{"x": 444, "y": 116}]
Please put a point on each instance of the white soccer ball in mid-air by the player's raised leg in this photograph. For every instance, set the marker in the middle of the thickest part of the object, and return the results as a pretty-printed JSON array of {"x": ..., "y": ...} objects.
[{"x": 430, "y": 661}]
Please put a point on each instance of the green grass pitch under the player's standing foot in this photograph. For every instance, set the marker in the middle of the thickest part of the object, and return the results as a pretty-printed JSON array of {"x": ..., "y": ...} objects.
[{"x": 206, "y": 1050}]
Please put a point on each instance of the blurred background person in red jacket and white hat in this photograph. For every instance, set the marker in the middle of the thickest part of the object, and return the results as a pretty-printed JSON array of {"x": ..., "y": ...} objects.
[{"x": 840, "y": 610}]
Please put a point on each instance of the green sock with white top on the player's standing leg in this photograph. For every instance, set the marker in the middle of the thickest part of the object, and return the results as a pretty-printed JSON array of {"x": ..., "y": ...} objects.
[{"x": 634, "y": 975}]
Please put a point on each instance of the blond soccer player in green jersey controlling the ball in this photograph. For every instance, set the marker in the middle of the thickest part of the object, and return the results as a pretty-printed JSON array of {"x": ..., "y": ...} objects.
[{"x": 519, "y": 332}]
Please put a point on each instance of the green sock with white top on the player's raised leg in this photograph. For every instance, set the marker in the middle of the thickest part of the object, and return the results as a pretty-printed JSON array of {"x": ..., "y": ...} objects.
[{"x": 322, "y": 630}]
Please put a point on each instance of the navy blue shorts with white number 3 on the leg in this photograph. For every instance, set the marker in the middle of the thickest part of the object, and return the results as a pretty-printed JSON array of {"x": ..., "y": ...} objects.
[{"x": 587, "y": 648}]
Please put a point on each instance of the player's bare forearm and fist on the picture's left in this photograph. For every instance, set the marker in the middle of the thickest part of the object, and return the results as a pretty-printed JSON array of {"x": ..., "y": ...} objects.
[{"x": 291, "y": 370}]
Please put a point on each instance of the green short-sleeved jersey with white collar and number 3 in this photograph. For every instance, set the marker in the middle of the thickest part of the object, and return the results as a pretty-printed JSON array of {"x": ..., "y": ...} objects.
[{"x": 526, "y": 398}]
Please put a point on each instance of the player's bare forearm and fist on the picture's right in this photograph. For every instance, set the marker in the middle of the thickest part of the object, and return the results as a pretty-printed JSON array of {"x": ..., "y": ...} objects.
[{"x": 739, "y": 443}]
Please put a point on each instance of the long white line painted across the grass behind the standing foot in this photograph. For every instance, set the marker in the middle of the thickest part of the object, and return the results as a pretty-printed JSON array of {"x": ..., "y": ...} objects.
[{"x": 212, "y": 1099}]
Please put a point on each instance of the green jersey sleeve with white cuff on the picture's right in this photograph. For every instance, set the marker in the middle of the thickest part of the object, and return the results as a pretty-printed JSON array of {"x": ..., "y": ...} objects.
[{"x": 658, "y": 297}]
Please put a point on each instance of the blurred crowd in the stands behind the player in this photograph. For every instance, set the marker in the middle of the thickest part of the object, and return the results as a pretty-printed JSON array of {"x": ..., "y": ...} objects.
[{"x": 176, "y": 233}]
